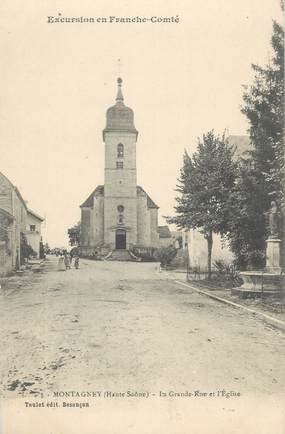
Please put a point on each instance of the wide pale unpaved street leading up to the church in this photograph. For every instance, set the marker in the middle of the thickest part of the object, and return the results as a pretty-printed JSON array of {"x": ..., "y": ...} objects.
[{"x": 124, "y": 326}]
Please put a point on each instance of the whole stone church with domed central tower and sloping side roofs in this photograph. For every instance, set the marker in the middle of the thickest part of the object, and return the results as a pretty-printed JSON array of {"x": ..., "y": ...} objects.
[{"x": 119, "y": 214}]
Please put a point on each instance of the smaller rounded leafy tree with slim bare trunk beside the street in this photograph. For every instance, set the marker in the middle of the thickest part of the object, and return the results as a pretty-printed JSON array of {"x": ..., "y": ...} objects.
[{"x": 205, "y": 184}]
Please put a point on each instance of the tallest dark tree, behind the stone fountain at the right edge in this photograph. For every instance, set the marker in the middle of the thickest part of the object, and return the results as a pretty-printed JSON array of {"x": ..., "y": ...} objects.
[{"x": 263, "y": 179}]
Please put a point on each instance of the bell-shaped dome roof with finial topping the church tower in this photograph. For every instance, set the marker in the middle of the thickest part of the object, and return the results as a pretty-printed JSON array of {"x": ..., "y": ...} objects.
[{"x": 119, "y": 117}]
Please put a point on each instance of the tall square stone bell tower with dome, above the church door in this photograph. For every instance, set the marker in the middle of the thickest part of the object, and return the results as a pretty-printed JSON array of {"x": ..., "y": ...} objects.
[{"x": 120, "y": 186}]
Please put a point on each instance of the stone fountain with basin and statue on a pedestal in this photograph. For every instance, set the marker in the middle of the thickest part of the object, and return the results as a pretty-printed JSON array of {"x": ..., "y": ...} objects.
[{"x": 271, "y": 280}]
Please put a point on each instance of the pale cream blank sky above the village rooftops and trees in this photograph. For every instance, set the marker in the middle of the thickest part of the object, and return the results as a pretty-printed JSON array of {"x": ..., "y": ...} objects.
[{"x": 57, "y": 81}]
